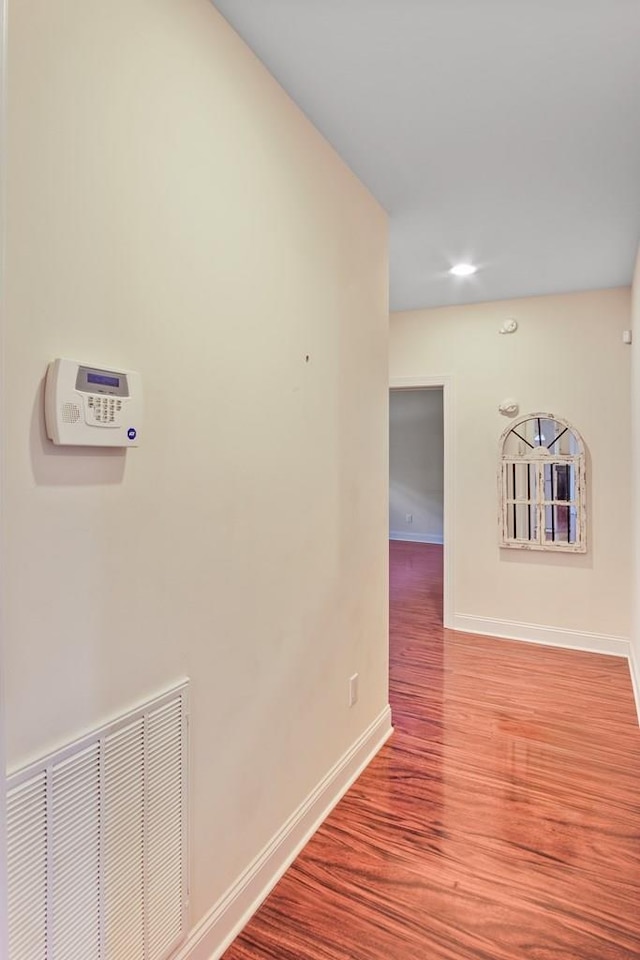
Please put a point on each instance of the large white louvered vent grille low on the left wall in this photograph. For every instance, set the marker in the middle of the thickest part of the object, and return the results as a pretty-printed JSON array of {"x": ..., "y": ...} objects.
[{"x": 97, "y": 842}]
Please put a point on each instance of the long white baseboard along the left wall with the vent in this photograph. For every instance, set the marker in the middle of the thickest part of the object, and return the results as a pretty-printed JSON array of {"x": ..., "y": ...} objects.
[{"x": 215, "y": 932}]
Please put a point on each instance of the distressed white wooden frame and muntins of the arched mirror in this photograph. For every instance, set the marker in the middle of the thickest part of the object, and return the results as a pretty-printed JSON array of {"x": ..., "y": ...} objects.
[{"x": 540, "y": 455}]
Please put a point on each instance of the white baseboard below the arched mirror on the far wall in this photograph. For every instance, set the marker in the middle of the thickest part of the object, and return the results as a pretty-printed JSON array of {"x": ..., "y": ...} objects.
[{"x": 548, "y": 636}]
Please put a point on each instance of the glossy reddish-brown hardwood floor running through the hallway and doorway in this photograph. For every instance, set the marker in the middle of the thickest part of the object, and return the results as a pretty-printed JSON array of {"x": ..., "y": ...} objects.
[{"x": 501, "y": 821}]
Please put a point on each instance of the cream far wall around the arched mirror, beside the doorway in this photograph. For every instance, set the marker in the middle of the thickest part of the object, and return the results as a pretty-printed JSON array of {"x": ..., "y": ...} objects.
[{"x": 567, "y": 358}]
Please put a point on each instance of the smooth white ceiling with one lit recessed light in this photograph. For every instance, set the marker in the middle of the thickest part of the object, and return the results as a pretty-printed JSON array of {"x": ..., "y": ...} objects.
[{"x": 506, "y": 132}]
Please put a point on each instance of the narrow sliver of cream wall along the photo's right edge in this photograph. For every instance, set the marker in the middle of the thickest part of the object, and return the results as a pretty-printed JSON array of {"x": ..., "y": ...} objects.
[{"x": 635, "y": 473}]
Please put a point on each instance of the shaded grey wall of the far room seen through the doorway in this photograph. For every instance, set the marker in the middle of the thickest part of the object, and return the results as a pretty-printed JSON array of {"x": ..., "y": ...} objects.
[{"x": 416, "y": 455}]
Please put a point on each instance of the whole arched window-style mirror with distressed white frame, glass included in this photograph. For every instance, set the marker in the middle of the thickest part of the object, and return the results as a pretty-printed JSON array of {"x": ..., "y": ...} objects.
[{"x": 542, "y": 485}]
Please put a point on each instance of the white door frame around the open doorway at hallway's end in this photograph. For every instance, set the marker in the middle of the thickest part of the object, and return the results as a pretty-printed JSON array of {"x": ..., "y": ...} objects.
[{"x": 445, "y": 381}]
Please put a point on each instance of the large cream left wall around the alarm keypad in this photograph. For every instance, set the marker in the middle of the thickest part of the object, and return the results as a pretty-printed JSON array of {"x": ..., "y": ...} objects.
[{"x": 171, "y": 210}]
